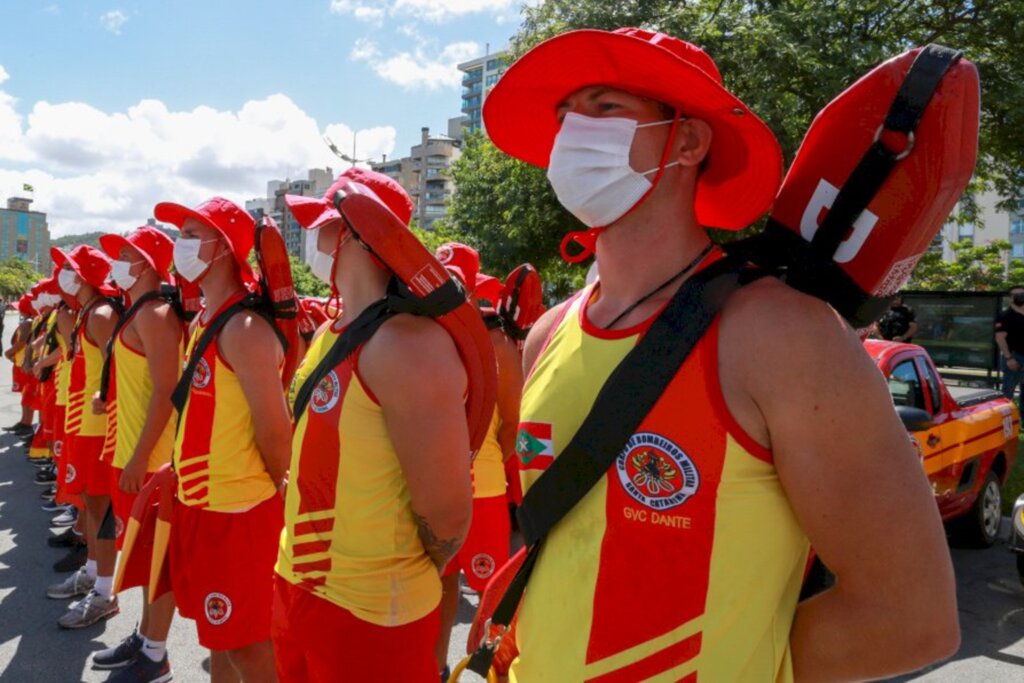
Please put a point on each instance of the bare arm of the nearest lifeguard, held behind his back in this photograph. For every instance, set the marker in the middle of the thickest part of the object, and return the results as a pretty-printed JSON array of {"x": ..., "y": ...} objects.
[{"x": 856, "y": 485}]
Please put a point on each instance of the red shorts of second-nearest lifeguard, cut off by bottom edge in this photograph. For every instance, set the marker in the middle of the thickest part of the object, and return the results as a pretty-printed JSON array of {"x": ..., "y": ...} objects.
[{"x": 316, "y": 642}]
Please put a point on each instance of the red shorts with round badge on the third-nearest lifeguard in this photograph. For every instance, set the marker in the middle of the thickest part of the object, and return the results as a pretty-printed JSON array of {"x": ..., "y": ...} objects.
[{"x": 223, "y": 571}]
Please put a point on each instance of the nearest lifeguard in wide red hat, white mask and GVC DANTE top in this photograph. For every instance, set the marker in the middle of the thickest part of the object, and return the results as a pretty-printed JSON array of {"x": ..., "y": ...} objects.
[{"x": 686, "y": 562}]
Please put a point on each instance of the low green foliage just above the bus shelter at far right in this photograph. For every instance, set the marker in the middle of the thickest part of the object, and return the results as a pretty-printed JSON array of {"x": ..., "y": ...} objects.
[{"x": 973, "y": 270}]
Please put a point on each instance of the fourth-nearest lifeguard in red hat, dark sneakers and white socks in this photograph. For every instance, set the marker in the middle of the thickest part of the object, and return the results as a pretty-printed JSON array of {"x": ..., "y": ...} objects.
[{"x": 144, "y": 368}]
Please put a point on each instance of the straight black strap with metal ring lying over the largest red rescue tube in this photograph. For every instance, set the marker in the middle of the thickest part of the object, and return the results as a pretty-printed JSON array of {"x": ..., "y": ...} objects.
[{"x": 905, "y": 114}]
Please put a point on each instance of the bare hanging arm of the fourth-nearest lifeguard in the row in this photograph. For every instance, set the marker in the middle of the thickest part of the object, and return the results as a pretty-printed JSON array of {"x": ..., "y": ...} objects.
[{"x": 159, "y": 332}]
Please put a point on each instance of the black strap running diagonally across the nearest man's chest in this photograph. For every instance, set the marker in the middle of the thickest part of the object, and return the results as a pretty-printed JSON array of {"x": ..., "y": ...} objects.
[{"x": 643, "y": 376}]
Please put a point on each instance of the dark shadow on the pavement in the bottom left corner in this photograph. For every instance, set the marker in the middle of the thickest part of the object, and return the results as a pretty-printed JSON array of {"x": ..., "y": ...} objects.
[{"x": 32, "y": 647}]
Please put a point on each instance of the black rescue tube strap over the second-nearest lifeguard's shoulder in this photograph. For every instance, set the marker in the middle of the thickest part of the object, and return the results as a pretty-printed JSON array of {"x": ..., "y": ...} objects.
[{"x": 399, "y": 301}]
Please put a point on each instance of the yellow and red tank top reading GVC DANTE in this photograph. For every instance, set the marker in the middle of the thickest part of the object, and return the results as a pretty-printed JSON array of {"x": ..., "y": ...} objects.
[{"x": 686, "y": 562}]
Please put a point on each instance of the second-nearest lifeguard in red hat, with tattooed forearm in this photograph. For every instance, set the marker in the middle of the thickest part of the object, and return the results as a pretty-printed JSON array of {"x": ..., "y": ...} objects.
[{"x": 380, "y": 497}]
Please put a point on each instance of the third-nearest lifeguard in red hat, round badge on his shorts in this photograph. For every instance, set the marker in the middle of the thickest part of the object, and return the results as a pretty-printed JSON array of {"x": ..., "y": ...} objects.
[{"x": 232, "y": 447}]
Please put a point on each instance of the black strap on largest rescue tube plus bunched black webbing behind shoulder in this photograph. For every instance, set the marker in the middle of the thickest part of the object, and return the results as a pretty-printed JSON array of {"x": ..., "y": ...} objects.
[{"x": 809, "y": 267}]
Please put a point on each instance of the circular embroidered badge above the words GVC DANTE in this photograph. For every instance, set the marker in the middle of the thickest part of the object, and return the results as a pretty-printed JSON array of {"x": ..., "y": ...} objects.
[{"x": 657, "y": 473}]
